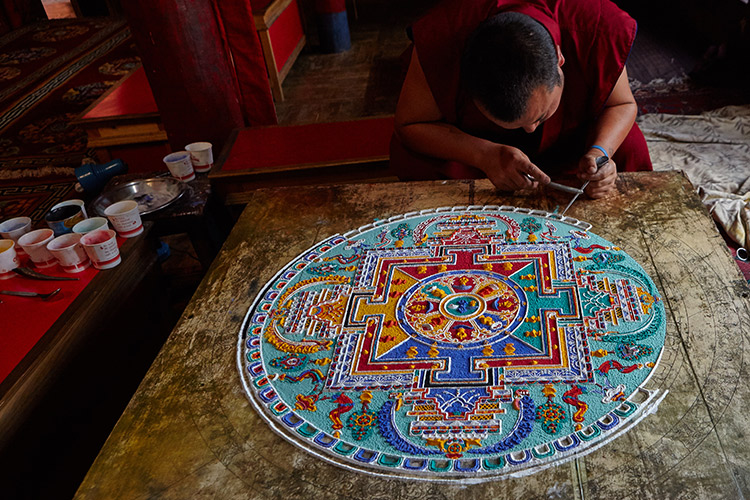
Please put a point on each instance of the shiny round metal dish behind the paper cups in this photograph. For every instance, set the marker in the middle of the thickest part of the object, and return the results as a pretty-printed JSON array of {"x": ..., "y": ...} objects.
[{"x": 150, "y": 194}]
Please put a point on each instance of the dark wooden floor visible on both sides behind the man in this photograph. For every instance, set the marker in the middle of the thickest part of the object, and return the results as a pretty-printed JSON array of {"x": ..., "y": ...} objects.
[{"x": 365, "y": 81}]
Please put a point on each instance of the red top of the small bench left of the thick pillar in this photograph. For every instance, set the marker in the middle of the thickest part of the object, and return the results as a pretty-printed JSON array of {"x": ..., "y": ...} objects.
[{"x": 132, "y": 97}]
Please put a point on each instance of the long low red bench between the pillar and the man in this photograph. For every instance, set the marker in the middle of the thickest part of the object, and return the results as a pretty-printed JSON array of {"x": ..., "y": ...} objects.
[{"x": 316, "y": 153}]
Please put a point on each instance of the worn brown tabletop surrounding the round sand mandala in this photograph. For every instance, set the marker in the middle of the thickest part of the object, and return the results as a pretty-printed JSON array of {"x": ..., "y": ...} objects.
[{"x": 189, "y": 432}]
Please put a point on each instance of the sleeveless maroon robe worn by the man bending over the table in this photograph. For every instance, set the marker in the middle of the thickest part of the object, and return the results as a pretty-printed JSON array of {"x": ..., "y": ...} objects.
[{"x": 594, "y": 36}]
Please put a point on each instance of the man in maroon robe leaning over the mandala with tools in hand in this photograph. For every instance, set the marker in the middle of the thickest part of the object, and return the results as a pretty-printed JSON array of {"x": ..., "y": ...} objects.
[{"x": 518, "y": 91}]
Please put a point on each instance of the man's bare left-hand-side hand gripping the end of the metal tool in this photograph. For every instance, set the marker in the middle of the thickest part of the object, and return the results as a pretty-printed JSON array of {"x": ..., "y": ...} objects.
[{"x": 509, "y": 169}]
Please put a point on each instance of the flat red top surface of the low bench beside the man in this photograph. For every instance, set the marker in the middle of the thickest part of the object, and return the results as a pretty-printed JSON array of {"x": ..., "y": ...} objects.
[{"x": 317, "y": 143}]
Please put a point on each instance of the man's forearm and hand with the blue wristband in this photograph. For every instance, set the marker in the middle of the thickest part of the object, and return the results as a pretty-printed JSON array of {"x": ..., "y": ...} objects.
[{"x": 610, "y": 130}]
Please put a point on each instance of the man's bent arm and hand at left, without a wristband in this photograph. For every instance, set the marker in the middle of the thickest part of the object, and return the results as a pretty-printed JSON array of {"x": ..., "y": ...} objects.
[{"x": 420, "y": 126}]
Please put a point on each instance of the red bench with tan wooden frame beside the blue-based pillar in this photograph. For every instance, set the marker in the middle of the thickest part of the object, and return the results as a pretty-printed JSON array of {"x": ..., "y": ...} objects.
[{"x": 279, "y": 28}]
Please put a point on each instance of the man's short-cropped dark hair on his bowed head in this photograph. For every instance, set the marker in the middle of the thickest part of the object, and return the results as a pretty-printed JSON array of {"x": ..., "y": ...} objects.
[{"x": 505, "y": 60}]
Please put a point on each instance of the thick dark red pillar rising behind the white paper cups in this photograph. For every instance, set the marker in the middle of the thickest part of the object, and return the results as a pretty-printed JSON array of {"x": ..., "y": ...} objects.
[{"x": 189, "y": 68}]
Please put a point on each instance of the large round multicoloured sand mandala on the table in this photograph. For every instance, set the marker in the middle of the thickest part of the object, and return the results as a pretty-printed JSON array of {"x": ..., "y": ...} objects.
[{"x": 462, "y": 342}]
